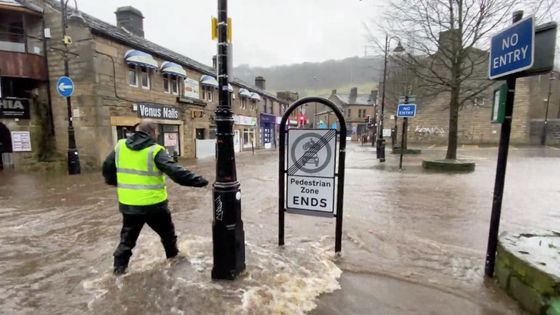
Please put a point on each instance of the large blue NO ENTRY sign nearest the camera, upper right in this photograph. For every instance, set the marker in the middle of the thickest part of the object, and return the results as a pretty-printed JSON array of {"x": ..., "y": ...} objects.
[{"x": 513, "y": 49}]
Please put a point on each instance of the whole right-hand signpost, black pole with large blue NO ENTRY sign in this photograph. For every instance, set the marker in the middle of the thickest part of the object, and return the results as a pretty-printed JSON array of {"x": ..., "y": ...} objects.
[{"x": 513, "y": 54}]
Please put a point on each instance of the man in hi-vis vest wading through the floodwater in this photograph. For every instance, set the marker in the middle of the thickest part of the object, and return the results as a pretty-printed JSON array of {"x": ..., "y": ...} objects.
[{"x": 137, "y": 167}]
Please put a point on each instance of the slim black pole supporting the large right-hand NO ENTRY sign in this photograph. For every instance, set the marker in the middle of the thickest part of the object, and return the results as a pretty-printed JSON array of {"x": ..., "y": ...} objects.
[{"x": 500, "y": 172}]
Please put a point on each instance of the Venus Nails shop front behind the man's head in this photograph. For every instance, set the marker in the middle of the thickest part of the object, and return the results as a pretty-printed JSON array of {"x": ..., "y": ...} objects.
[{"x": 170, "y": 122}]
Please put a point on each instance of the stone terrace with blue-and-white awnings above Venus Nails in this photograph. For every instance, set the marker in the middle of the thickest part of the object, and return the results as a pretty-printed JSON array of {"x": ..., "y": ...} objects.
[{"x": 121, "y": 77}]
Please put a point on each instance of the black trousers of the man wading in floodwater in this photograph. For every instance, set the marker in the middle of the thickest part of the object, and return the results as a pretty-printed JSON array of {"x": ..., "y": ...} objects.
[{"x": 159, "y": 220}]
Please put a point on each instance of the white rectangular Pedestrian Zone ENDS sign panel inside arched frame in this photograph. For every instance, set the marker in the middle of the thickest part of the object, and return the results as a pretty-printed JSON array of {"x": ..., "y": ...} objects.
[{"x": 311, "y": 170}]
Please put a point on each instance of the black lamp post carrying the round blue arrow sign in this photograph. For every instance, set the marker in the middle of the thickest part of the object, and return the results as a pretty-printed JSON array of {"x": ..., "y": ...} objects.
[{"x": 73, "y": 156}]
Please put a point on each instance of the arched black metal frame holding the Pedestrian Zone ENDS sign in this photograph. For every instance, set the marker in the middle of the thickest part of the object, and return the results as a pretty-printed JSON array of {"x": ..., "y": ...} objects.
[{"x": 308, "y": 163}]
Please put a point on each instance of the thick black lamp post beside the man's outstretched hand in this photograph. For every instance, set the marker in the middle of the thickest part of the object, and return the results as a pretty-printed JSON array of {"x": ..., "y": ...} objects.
[{"x": 228, "y": 237}]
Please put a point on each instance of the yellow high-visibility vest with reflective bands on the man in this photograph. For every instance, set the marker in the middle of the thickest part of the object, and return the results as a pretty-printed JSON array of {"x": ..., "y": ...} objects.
[{"x": 139, "y": 181}]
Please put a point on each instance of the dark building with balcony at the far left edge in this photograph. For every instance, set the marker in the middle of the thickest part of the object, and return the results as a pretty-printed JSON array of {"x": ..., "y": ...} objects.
[{"x": 26, "y": 127}]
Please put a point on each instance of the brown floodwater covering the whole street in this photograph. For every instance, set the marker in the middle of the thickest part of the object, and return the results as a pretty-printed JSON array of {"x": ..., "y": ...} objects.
[{"x": 413, "y": 242}]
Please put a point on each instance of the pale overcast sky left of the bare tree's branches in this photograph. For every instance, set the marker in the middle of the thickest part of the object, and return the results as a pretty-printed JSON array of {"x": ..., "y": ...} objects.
[{"x": 265, "y": 32}]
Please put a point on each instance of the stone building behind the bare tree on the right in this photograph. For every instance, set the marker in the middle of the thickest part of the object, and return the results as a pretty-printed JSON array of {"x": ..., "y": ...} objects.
[{"x": 431, "y": 124}]
